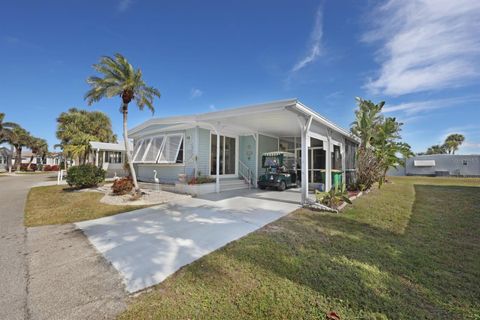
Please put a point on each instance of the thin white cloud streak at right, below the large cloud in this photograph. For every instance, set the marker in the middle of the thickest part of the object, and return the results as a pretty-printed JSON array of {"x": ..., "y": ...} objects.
[{"x": 415, "y": 107}]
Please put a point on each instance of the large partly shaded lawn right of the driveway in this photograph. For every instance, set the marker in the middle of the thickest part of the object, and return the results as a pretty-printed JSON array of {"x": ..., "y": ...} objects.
[{"x": 407, "y": 251}]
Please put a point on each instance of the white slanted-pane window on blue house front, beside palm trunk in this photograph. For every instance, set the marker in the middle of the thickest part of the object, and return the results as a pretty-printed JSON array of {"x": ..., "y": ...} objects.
[{"x": 159, "y": 149}]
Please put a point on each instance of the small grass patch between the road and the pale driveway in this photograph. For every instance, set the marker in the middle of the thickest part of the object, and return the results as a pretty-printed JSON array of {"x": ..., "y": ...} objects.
[{"x": 58, "y": 205}]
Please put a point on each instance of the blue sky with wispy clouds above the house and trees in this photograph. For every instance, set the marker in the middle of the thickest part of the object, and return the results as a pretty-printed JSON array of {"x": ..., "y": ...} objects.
[{"x": 421, "y": 57}]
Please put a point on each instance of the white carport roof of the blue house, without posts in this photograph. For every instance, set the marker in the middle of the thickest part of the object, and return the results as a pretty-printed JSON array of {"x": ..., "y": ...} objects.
[{"x": 277, "y": 118}]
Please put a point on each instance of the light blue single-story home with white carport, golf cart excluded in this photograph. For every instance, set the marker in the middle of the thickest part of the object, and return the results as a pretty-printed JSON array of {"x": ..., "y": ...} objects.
[{"x": 228, "y": 145}]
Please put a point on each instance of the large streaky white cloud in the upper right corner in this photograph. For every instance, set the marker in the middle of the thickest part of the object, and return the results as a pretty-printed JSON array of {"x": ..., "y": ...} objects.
[{"x": 425, "y": 45}]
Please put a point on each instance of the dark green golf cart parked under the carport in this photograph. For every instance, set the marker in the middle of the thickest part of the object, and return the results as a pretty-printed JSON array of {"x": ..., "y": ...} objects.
[{"x": 280, "y": 171}]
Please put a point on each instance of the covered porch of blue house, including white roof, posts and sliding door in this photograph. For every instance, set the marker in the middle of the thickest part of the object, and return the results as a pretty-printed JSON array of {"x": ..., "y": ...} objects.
[{"x": 238, "y": 138}]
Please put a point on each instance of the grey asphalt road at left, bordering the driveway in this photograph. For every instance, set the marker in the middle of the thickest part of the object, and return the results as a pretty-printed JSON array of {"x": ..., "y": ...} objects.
[{"x": 50, "y": 272}]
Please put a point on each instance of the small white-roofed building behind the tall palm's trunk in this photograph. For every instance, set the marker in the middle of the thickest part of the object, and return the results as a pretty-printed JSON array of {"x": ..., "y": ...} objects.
[{"x": 109, "y": 156}]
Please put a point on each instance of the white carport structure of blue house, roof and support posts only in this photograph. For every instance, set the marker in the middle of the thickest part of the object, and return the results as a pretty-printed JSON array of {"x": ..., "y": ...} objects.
[{"x": 286, "y": 118}]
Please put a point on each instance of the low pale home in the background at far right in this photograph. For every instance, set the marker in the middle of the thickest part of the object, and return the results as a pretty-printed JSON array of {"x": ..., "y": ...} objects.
[{"x": 440, "y": 165}]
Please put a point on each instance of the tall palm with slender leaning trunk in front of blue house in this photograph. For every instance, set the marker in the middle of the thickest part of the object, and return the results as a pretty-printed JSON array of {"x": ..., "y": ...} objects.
[{"x": 119, "y": 78}]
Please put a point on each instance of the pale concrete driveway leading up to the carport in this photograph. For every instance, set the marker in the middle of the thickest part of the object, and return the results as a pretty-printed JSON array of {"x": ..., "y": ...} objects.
[{"x": 148, "y": 245}]
